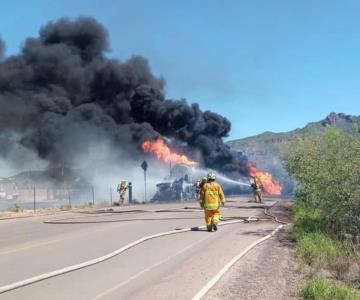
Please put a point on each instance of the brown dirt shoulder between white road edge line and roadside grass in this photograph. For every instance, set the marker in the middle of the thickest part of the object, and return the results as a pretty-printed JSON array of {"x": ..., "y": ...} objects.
[{"x": 268, "y": 271}]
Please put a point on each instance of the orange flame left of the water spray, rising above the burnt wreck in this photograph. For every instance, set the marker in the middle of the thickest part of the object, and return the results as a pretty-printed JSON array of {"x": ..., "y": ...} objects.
[{"x": 163, "y": 152}]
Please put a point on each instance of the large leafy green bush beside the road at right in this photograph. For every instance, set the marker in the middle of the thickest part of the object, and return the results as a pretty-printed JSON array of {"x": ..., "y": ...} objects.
[{"x": 327, "y": 170}]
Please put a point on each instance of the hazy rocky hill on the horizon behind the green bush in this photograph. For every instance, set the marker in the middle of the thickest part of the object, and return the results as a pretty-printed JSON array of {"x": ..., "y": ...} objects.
[{"x": 266, "y": 149}]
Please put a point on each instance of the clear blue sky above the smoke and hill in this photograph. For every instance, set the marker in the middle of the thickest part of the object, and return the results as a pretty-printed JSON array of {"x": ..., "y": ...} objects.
[{"x": 265, "y": 65}]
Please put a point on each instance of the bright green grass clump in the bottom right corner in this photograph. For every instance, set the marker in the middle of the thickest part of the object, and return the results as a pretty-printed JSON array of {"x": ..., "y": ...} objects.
[{"x": 322, "y": 289}]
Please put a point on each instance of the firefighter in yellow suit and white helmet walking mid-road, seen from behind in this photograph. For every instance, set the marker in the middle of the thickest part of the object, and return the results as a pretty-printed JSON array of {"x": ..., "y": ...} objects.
[{"x": 211, "y": 197}]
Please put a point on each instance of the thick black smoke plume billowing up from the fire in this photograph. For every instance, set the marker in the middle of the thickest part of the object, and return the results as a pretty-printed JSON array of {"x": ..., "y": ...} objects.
[{"x": 61, "y": 93}]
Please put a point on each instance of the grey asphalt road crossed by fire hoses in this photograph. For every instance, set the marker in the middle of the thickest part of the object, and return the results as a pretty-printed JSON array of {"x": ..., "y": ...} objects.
[{"x": 170, "y": 267}]
